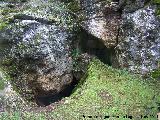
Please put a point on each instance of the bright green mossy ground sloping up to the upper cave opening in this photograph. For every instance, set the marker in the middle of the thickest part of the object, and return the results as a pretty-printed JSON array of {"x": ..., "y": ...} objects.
[{"x": 105, "y": 91}]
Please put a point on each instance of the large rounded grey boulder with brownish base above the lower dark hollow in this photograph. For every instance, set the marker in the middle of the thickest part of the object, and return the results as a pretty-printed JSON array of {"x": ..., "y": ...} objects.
[{"x": 40, "y": 49}]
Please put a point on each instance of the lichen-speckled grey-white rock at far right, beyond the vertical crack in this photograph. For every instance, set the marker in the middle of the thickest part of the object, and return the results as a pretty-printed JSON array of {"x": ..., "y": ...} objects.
[{"x": 139, "y": 47}]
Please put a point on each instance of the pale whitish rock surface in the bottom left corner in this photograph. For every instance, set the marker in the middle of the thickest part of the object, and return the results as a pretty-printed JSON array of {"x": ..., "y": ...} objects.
[{"x": 9, "y": 99}]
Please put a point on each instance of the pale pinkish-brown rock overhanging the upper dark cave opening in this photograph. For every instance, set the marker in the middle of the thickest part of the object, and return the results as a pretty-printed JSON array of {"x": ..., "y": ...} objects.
[{"x": 101, "y": 20}]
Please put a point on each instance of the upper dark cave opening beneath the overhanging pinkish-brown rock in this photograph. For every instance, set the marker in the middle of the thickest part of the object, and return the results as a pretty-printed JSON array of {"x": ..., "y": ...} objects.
[{"x": 94, "y": 46}]
